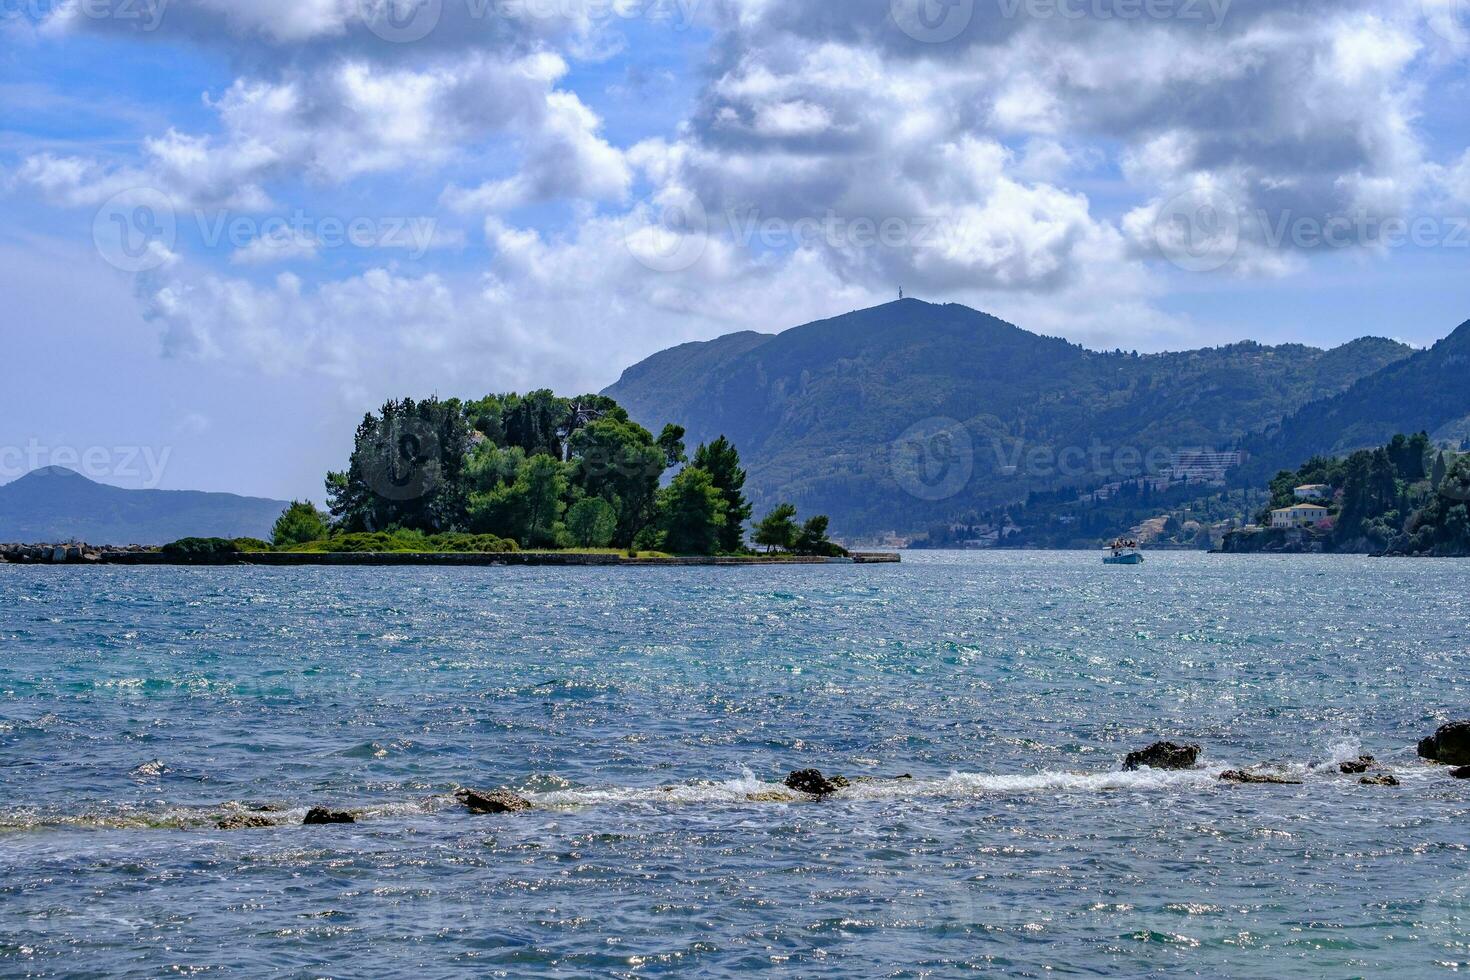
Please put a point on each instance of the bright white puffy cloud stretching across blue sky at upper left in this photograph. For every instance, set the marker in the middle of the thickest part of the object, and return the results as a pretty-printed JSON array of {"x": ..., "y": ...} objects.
[{"x": 356, "y": 118}]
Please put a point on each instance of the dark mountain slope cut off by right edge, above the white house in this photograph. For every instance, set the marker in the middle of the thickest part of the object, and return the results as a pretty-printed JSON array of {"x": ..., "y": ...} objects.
[{"x": 1427, "y": 393}]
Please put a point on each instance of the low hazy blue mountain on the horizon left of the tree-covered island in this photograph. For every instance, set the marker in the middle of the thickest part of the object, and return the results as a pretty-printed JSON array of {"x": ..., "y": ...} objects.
[{"x": 57, "y": 505}]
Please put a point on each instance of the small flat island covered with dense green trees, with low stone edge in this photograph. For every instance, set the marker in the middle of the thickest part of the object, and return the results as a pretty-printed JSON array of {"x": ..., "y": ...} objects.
[{"x": 515, "y": 480}]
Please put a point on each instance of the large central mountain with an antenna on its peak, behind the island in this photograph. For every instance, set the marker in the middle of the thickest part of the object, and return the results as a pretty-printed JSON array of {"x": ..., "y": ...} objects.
[{"x": 908, "y": 414}]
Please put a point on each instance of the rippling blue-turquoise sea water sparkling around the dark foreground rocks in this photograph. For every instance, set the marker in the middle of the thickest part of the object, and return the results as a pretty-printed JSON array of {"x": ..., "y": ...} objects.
[{"x": 642, "y": 712}]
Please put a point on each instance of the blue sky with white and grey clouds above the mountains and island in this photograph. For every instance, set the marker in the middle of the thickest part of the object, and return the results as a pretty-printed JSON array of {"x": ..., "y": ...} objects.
[{"x": 233, "y": 227}]
